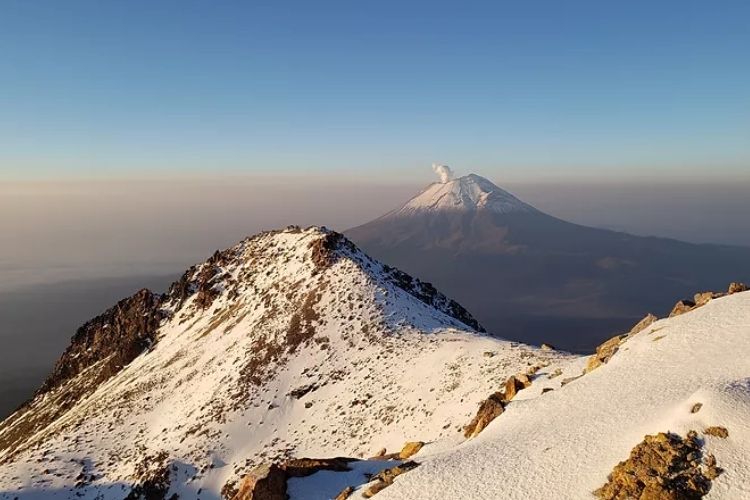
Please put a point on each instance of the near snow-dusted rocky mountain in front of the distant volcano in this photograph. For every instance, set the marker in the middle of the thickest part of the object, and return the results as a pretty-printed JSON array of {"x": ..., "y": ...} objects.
[{"x": 291, "y": 343}]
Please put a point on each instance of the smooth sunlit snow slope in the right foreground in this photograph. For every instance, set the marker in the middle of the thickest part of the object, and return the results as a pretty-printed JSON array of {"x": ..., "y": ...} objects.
[{"x": 563, "y": 443}]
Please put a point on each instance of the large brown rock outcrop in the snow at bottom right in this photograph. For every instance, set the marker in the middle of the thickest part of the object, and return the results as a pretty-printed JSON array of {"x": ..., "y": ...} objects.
[{"x": 662, "y": 467}]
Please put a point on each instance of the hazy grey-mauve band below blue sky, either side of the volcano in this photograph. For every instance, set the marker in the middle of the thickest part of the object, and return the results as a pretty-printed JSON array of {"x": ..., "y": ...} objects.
[{"x": 66, "y": 230}]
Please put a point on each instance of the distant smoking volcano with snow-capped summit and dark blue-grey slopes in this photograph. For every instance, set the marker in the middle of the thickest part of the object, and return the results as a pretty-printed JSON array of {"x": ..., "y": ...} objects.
[{"x": 532, "y": 277}]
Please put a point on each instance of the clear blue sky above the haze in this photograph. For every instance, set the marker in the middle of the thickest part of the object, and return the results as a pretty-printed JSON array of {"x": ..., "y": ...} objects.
[{"x": 538, "y": 88}]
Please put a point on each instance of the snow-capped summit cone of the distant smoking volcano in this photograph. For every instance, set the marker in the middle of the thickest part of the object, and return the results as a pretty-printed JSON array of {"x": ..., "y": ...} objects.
[{"x": 468, "y": 193}]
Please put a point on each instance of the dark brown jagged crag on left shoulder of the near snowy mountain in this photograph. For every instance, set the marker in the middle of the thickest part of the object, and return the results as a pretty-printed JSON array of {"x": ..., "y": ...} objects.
[{"x": 116, "y": 337}]
